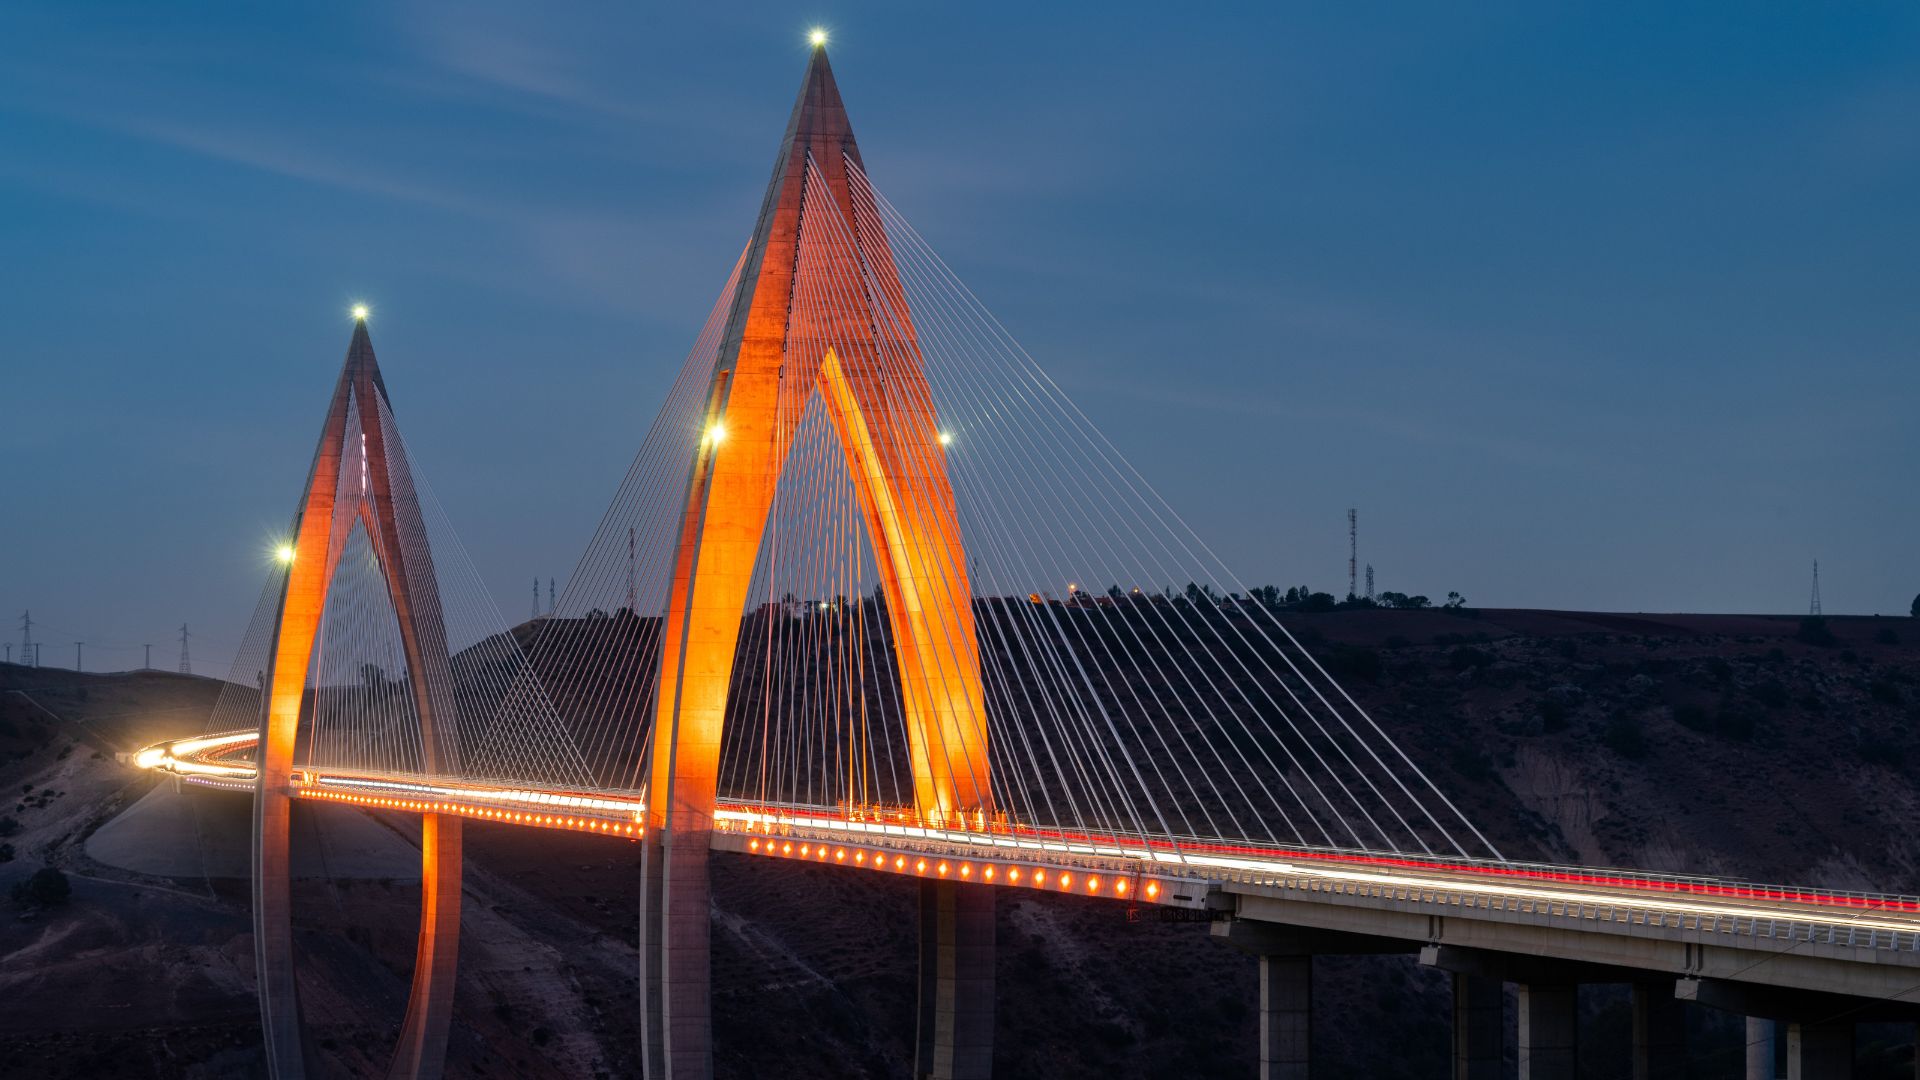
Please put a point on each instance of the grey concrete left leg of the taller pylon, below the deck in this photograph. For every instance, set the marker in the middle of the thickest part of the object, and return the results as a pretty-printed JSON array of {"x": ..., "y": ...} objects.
[{"x": 675, "y": 960}]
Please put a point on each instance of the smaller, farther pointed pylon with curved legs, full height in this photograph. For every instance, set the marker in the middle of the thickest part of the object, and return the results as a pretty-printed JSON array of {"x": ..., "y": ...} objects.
[{"x": 379, "y": 497}]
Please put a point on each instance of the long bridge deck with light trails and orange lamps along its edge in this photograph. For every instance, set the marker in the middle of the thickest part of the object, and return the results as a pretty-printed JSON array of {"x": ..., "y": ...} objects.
[{"x": 1606, "y": 918}]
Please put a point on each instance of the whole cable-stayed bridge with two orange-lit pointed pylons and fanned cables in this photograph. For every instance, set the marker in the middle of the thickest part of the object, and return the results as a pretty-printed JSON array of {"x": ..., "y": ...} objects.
[{"x": 876, "y": 595}]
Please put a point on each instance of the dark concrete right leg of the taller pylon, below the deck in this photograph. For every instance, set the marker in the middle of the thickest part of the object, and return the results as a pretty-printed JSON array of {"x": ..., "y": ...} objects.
[{"x": 957, "y": 958}]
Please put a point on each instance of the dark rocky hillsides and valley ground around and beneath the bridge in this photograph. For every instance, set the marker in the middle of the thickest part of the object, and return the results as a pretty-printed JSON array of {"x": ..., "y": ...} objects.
[{"x": 1744, "y": 747}]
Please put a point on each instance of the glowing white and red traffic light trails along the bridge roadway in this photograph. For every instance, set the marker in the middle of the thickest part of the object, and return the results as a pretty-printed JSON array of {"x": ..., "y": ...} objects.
[{"x": 1032, "y": 852}]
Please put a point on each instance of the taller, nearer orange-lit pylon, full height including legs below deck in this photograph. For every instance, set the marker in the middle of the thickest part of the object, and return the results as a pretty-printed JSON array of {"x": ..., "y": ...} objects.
[{"x": 819, "y": 310}]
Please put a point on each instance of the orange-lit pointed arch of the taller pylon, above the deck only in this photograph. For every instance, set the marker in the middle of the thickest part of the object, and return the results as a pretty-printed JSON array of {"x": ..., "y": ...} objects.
[{"x": 882, "y": 412}]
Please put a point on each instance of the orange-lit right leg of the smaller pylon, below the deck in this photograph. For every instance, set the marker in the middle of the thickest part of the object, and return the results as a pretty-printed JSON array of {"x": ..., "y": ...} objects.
[{"x": 423, "y": 1037}]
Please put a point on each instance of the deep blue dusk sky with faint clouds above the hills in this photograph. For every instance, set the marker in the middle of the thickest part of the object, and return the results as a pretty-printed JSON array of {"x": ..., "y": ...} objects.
[{"x": 1602, "y": 307}]
